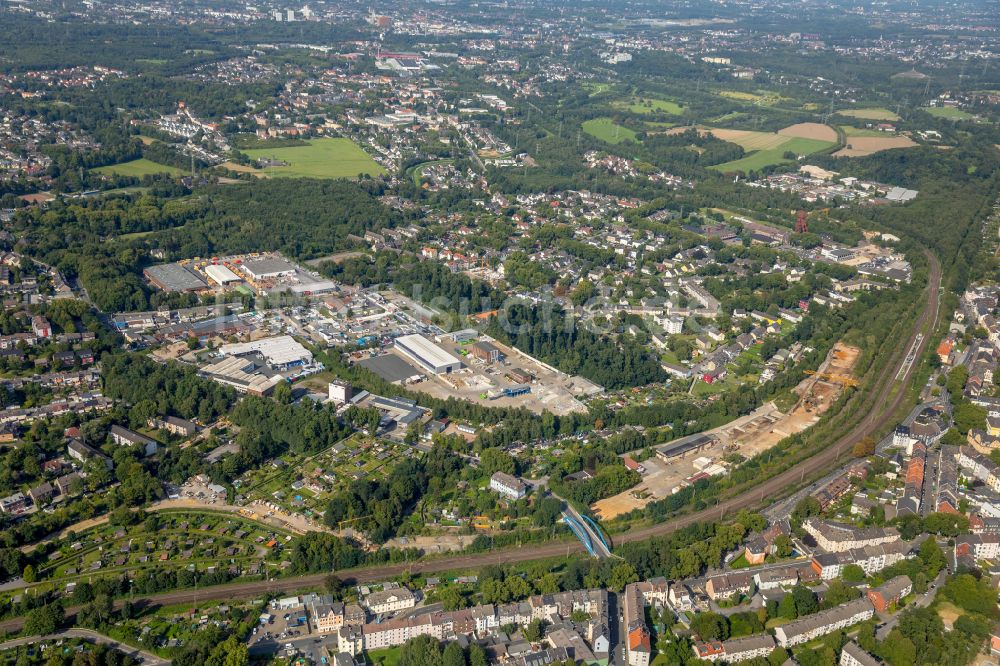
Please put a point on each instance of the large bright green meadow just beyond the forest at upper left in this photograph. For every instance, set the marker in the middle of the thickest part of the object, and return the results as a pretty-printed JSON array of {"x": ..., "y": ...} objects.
[{"x": 322, "y": 158}]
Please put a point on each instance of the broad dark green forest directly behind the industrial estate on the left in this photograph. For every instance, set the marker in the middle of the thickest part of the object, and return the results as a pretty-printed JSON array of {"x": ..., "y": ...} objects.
[{"x": 103, "y": 242}]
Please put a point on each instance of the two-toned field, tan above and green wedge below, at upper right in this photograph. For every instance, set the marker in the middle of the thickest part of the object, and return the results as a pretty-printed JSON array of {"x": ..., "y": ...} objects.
[{"x": 767, "y": 148}]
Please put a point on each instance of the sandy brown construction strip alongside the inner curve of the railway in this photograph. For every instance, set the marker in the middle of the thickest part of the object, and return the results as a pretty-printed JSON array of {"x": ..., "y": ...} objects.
[{"x": 747, "y": 436}]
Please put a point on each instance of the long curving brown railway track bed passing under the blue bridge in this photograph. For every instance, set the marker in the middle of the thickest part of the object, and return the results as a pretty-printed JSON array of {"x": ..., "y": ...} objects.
[{"x": 889, "y": 396}]
